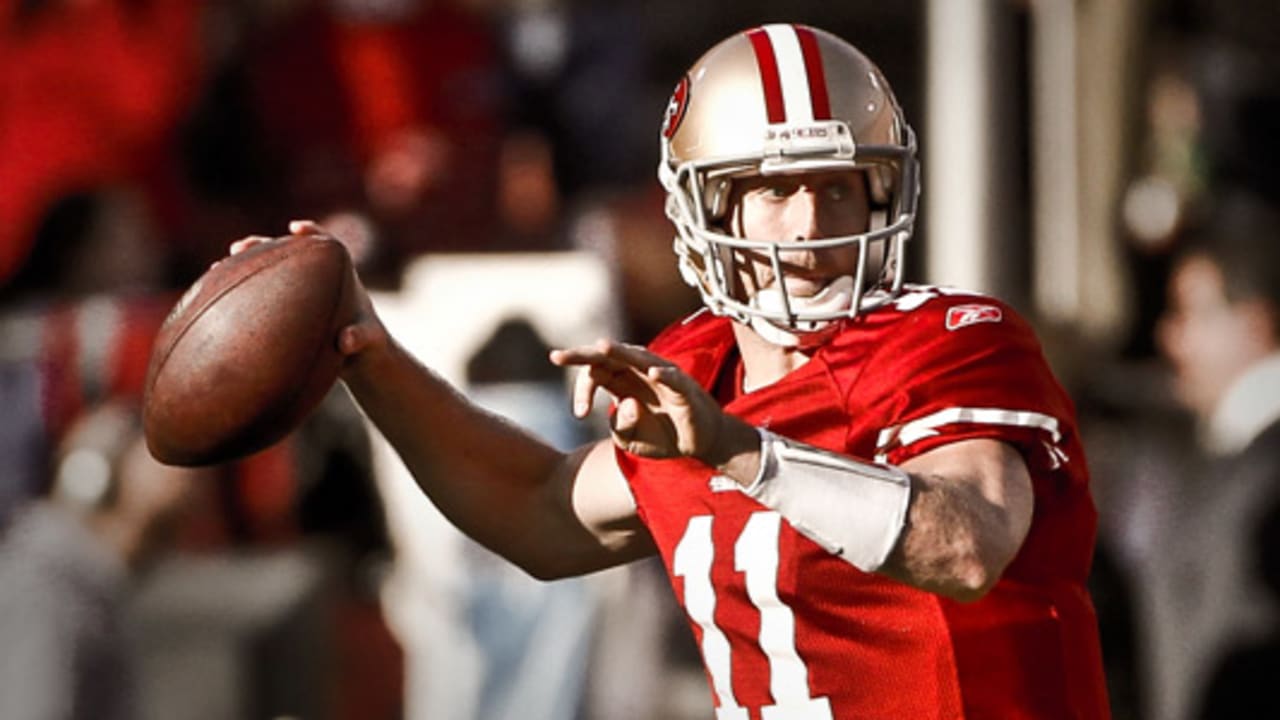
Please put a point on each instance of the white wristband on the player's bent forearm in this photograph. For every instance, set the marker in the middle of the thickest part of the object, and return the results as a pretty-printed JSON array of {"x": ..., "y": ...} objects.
[{"x": 852, "y": 509}]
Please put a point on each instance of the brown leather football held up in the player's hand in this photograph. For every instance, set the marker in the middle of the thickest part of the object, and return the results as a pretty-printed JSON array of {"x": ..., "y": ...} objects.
[{"x": 248, "y": 352}]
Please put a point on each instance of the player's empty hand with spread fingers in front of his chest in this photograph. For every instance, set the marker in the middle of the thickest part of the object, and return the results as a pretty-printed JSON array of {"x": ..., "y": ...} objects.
[{"x": 660, "y": 411}]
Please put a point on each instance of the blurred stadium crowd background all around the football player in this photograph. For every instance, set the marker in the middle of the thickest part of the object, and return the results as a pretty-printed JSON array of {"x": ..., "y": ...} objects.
[{"x": 1098, "y": 165}]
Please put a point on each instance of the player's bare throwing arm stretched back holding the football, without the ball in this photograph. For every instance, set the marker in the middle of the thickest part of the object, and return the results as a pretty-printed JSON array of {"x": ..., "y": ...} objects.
[{"x": 554, "y": 514}]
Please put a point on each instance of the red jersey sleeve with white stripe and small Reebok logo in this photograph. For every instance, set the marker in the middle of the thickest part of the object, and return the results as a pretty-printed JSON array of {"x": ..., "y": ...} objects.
[{"x": 961, "y": 368}]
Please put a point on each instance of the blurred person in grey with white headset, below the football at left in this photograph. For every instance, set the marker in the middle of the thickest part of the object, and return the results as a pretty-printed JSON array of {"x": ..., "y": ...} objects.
[{"x": 66, "y": 568}]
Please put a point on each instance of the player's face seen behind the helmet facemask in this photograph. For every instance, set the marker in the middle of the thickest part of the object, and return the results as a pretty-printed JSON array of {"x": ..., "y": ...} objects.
[{"x": 797, "y": 208}]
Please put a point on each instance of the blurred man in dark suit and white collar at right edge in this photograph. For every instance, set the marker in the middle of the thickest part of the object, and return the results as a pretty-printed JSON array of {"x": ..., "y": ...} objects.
[{"x": 1222, "y": 335}]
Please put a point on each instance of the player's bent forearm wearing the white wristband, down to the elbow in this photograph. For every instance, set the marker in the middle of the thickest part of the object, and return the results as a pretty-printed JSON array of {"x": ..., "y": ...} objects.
[{"x": 967, "y": 507}]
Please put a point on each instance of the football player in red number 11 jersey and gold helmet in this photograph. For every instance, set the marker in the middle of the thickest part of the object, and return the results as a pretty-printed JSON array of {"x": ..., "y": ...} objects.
[{"x": 871, "y": 496}]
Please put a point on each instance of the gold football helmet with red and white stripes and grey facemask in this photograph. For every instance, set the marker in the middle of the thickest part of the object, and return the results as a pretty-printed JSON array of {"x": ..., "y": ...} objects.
[{"x": 700, "y": 183}]
